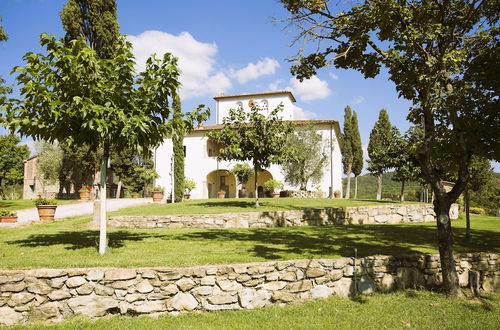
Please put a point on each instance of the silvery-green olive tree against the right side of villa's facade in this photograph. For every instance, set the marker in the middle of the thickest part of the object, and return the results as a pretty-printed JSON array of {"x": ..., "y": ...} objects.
[{"x": 306, "y": 157}]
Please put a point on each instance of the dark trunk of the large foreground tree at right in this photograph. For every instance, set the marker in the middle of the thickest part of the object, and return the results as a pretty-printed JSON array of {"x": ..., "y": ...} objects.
[{"x": 445, "y": 241}]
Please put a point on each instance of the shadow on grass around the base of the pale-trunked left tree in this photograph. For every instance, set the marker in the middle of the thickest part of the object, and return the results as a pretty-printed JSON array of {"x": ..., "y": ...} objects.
[{"x": 74, "y": 240}]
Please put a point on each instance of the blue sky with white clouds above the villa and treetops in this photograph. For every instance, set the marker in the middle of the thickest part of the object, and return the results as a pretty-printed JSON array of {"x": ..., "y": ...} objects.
[{"x": 224, "y": 46}]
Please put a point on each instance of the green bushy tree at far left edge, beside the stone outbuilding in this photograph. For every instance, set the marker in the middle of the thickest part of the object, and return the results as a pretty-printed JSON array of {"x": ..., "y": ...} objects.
[{"x": 12, "y": 157}]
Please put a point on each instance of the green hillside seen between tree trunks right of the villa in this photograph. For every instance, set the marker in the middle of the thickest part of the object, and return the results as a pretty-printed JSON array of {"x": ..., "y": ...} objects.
[{"x": 367, "y": 187}]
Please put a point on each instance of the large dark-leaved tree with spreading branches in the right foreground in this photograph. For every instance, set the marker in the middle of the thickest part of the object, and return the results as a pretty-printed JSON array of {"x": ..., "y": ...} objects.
[{"x": 442, "y": 56}]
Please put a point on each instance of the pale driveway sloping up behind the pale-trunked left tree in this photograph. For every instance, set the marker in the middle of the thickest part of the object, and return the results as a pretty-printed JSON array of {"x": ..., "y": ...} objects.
[{"x": 78, "y": 208}]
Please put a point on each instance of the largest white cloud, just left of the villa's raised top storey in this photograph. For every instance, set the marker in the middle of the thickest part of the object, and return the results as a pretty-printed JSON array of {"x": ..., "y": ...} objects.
[{"x": 199, "y": 75}]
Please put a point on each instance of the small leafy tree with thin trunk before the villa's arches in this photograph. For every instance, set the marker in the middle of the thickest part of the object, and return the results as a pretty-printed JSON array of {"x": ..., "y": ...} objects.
[{"x": 251, "y": 136}]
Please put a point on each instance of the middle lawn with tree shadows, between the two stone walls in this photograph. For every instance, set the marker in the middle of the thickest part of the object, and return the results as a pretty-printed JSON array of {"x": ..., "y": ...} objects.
[{"x": 70, "y": 243}]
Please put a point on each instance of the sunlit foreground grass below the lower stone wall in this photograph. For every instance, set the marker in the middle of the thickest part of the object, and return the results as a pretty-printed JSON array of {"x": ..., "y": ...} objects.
[{"x": 407, "y": 309}]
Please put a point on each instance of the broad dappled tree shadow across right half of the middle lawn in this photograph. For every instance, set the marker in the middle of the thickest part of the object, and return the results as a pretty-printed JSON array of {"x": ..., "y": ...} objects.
[{"x": 325, "y": 241}]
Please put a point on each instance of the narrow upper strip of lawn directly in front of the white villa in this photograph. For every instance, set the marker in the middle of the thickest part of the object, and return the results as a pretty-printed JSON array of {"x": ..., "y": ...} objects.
[{"x": 228, "y": 205}]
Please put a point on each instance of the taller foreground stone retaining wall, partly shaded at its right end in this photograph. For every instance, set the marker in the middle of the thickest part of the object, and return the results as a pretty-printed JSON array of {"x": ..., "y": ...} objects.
[{"x": 55, "y": 294}]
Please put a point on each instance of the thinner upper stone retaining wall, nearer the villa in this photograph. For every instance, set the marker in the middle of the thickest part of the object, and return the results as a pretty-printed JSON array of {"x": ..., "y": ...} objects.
[{"x": 379, "y": 214}]
